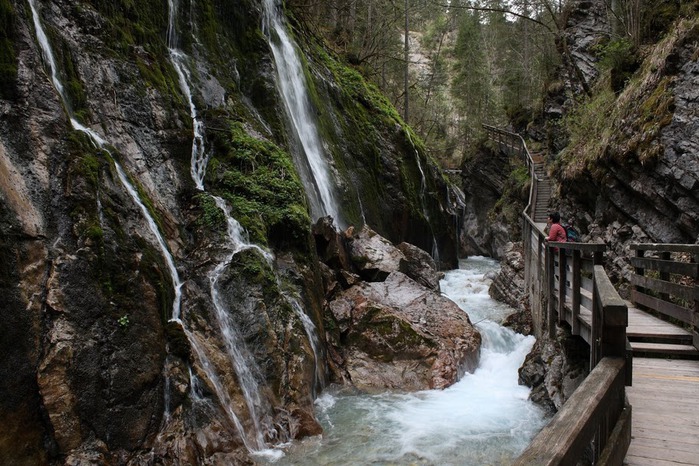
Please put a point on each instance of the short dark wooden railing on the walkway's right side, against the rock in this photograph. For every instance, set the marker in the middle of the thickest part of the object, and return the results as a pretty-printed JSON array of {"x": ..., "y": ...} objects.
[{"x": 668, "y": 285}]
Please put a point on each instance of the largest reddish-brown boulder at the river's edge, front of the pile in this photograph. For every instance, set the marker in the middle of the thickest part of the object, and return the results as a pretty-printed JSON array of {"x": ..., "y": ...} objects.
[{"x": 400, "y": 334}]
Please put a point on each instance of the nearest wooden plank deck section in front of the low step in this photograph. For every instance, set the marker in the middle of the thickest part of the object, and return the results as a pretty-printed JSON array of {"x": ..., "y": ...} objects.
[{"x": 665, "y": 417}]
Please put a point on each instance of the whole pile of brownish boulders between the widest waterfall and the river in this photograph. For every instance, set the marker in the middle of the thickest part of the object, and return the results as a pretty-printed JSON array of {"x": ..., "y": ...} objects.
[{"x": 391, "y": 330}]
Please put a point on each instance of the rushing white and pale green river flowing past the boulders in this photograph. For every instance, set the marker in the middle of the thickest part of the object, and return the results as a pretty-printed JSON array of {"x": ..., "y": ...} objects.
[{"x": 485, "y": 419}]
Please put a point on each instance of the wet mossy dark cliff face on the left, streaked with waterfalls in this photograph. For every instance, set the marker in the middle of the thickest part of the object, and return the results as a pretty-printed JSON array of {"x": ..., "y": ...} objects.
[{"x": 96, "y": 369}]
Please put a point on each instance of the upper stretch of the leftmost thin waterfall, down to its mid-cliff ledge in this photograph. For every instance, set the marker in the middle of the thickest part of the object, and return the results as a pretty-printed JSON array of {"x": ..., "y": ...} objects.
[{"x": 102, "y": 144}]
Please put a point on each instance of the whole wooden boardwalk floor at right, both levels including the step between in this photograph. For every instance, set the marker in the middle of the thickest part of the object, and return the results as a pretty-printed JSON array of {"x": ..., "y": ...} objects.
[{"x": 664, "y": 396}]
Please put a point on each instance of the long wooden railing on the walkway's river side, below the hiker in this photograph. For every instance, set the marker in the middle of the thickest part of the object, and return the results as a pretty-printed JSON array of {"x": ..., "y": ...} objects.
[{"x": 567, "y": 283}]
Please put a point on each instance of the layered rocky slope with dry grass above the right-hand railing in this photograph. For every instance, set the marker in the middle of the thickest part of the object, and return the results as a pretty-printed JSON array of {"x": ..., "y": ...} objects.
[{"x": 634, "y": 178}]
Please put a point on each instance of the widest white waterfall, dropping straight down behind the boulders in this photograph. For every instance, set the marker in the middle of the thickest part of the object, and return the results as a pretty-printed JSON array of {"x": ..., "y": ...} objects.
[{"x": 311, "y": 162}]
